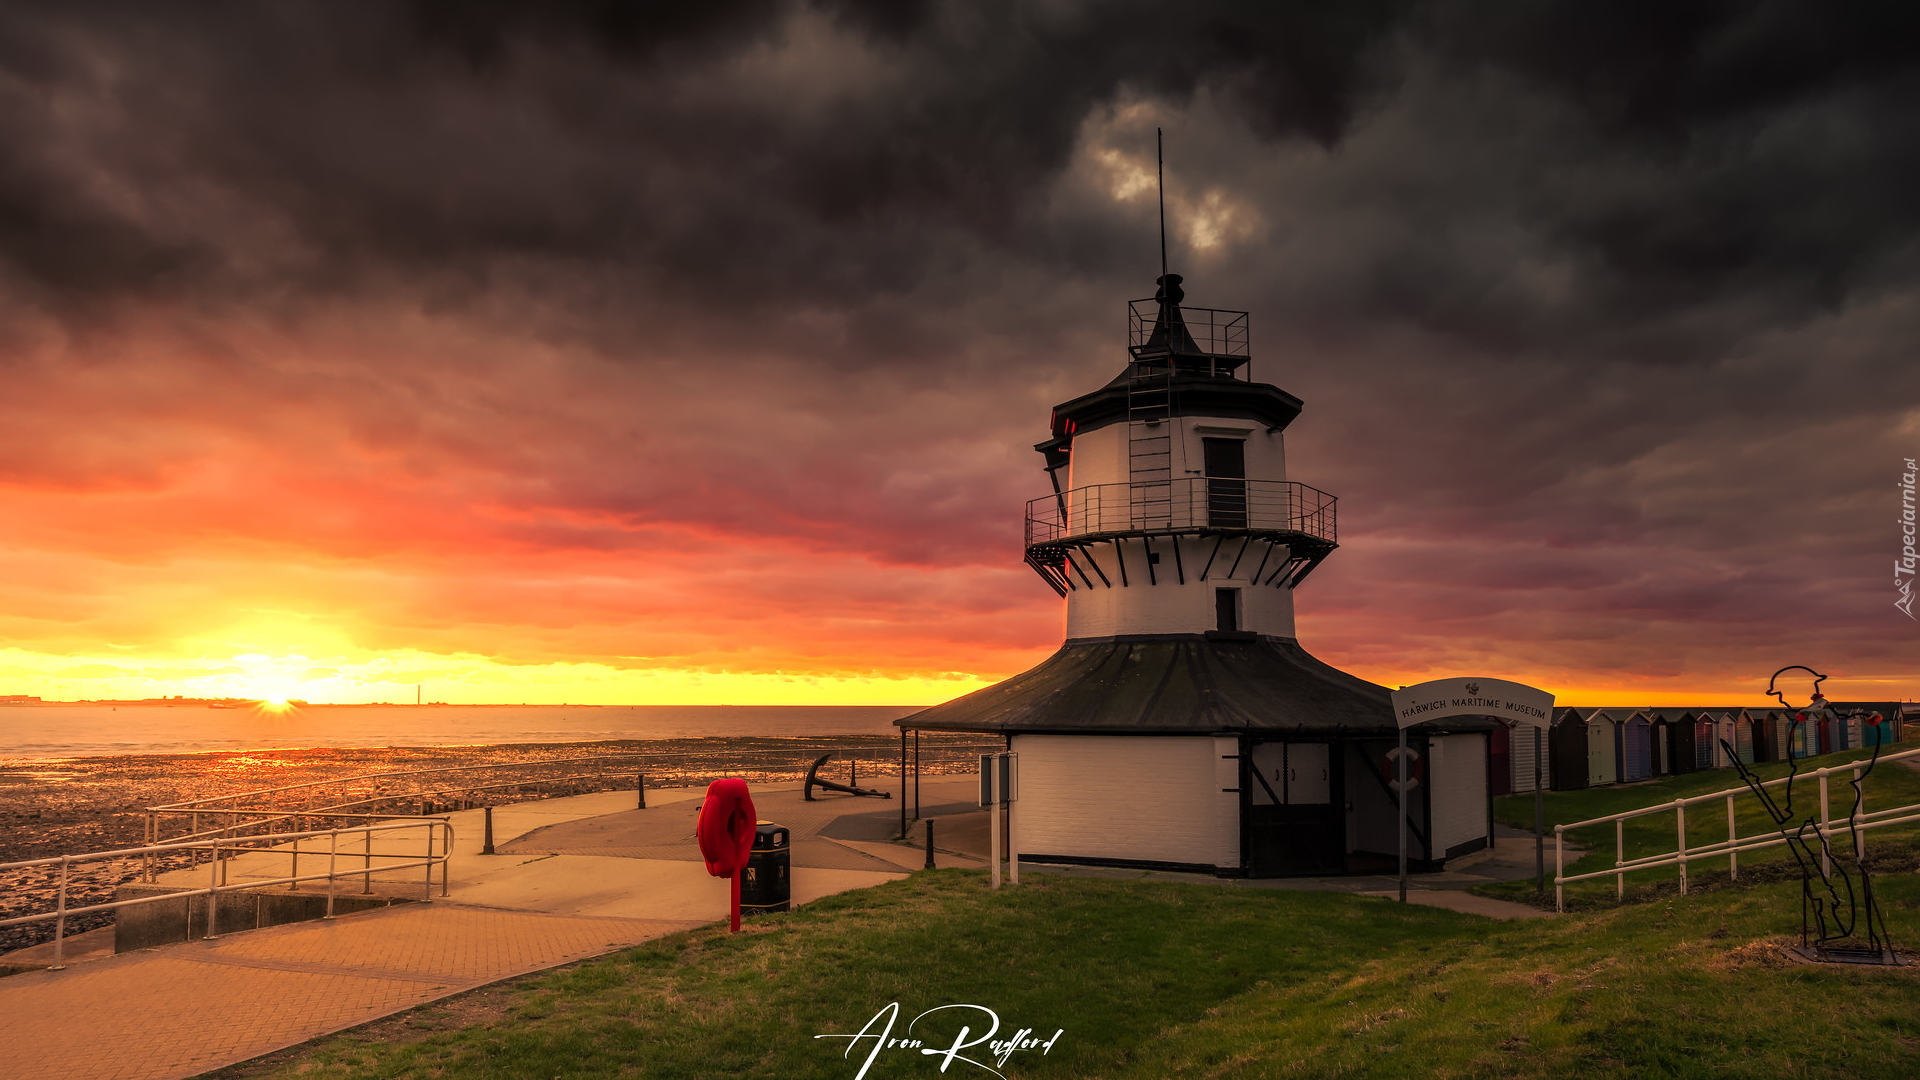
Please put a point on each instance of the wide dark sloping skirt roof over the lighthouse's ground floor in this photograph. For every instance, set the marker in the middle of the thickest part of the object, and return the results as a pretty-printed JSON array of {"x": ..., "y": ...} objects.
[{"x": 1180, "y": 685}]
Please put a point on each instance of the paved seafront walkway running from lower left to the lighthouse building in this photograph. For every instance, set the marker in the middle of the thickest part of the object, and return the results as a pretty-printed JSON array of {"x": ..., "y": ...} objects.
[{"x": 571, "y": 879}]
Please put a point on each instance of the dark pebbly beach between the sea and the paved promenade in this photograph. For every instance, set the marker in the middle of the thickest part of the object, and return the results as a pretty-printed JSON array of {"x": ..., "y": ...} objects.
[{"x": 97, "y": 804}]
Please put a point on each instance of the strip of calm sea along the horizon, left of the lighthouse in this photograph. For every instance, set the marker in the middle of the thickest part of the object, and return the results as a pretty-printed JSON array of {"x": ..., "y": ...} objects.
[{"x": 85, "y": 731}]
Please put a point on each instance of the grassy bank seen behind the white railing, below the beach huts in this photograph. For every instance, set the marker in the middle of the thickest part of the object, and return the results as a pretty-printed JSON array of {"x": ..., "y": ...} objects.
[{"x": 1890, "y": 850}]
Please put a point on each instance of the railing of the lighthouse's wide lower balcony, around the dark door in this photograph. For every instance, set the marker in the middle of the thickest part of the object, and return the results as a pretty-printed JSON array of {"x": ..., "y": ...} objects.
[{"x": 1184, "y": 506}]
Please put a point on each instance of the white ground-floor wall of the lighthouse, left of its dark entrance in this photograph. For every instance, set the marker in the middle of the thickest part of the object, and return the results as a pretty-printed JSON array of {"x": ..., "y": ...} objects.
[{"x": 1138, "y": 798}]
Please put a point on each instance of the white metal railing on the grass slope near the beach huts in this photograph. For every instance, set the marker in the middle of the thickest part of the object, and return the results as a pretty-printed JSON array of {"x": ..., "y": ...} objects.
[{"x": 1858, "y": 822}]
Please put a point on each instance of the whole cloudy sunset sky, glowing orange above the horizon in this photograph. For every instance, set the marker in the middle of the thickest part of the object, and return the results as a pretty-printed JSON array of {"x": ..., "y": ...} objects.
[{"x": 564, "y": 353}]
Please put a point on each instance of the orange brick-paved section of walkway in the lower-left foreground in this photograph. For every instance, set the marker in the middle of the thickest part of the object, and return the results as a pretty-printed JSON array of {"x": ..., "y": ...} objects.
[{"x": 183, "y": 1010}]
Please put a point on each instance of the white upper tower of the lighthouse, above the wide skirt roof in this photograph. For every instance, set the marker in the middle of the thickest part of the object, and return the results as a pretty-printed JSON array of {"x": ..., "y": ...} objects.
[{"x": 1172, "y": 512}]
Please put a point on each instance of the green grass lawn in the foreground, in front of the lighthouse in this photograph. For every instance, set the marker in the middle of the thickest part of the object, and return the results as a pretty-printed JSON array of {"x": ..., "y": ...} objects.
[{"x": 1163, "y": 979}]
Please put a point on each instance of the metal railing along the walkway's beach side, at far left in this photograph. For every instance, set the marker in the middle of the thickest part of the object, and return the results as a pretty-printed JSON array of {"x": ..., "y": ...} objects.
[{"x": 439, "y": 847}]
